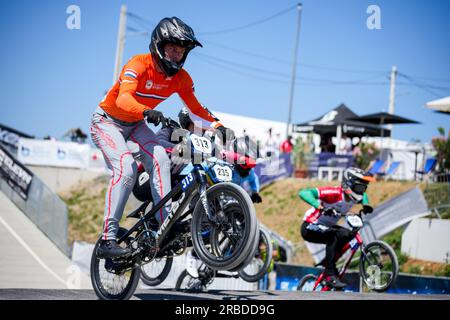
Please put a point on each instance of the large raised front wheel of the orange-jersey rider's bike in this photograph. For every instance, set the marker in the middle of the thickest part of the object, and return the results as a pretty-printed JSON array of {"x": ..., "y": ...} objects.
[{"x": 229, "y": 242}]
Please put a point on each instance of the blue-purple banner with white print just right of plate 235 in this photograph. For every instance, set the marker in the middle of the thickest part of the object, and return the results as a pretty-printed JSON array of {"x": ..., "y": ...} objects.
[{"x": 274, "y": 168}]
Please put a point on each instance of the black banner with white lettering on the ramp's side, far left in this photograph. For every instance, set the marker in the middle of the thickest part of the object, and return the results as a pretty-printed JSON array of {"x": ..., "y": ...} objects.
[{"x": 17, "y": 175}]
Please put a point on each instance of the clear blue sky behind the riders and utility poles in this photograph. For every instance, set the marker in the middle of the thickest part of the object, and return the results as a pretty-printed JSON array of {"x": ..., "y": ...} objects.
[{"x": 52, "y": 77}]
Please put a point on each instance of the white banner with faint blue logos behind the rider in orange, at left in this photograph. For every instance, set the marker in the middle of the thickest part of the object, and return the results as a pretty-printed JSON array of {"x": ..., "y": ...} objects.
[{"x": 54, "y": 153}]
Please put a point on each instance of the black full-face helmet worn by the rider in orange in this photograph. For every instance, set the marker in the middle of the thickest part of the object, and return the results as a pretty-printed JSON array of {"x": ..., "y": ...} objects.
[{"x": 171, "y": 30}]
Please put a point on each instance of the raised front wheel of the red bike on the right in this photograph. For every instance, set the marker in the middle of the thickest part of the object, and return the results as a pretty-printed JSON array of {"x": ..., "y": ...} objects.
[{"x": 378, "y": 266}]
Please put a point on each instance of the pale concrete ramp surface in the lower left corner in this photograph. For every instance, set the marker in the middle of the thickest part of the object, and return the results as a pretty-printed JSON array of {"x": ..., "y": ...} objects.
[{"x": 28, "y": 259}]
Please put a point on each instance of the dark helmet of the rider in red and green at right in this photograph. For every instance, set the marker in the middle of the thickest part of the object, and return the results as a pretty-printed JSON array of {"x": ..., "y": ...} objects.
[{"x": 355, "y": 182}]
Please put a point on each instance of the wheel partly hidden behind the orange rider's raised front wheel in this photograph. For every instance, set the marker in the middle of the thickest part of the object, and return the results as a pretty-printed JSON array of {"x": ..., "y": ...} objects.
[{"x": 262, "y": 259}]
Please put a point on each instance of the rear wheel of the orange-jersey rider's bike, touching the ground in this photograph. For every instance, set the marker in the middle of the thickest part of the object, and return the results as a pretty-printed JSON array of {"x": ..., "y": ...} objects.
[{"x": 114, "y": 279}]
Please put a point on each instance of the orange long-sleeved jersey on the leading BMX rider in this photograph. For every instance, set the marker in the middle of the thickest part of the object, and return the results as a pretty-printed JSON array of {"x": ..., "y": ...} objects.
[{"x": 141, "y": 86}]
